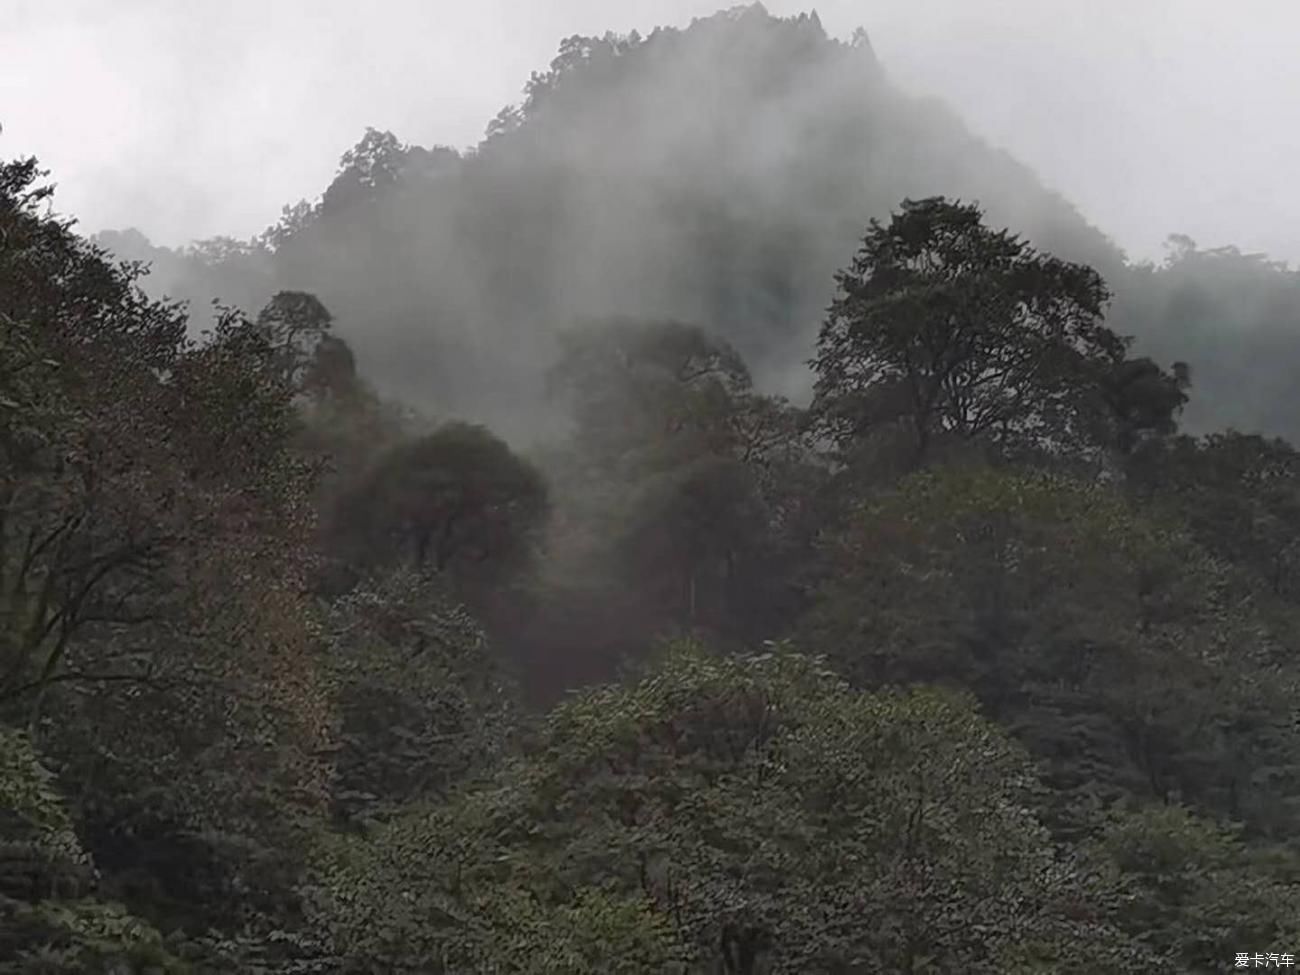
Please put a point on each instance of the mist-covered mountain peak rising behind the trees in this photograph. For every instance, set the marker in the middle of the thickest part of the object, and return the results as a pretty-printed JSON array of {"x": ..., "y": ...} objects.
[{"x": 718, "y": 174}]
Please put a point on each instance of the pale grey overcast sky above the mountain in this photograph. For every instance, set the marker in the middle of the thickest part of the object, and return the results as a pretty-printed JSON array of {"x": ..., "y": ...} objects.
[{"x": 202, "y": 118}]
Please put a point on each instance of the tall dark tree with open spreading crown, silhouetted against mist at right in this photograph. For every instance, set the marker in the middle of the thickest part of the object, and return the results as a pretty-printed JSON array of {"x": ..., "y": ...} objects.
[{"x": 946, "y": 330}]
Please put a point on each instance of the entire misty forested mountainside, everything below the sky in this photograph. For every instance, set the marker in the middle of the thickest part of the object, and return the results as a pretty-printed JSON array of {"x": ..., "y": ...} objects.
[{"x": 730, "y": 522}]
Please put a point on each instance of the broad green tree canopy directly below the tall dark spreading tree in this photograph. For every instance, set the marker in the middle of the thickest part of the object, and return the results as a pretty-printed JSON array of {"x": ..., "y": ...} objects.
[{"x": 1126, "y": 657}]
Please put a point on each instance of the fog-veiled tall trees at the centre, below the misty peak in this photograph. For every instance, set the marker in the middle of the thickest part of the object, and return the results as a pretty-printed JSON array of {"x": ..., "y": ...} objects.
[{"x": 686, "y": 479}]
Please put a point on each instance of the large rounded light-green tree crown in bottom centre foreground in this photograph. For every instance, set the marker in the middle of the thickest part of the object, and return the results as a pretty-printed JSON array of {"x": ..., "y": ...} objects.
[{"x": 752, "y": 813}]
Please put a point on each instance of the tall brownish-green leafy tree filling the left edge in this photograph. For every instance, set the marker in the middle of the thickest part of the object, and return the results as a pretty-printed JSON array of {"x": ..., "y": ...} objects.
[{"x": 154, "y": 531}]
